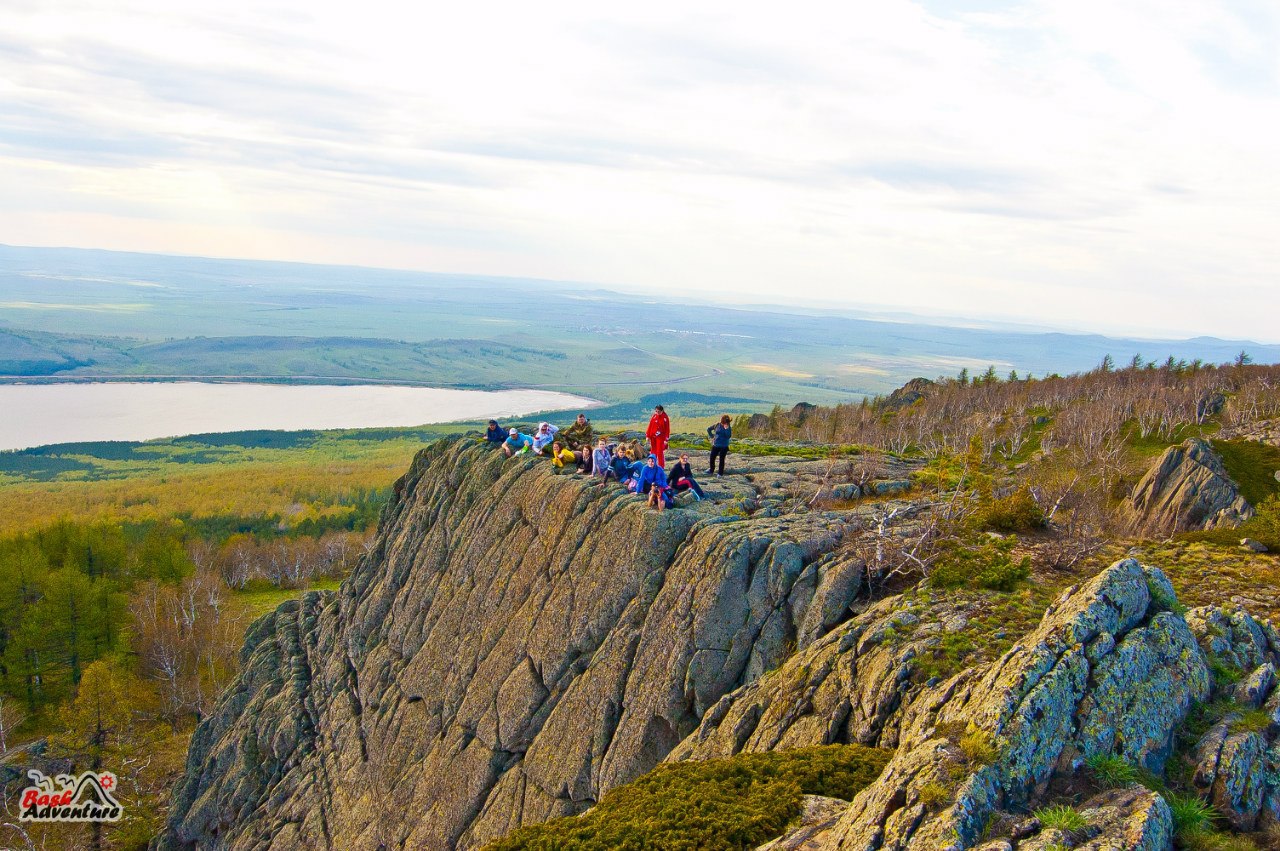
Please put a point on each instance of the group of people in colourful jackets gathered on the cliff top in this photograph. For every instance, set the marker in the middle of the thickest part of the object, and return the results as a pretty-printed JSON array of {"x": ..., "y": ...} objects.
[{"x": 641, "y": 469}]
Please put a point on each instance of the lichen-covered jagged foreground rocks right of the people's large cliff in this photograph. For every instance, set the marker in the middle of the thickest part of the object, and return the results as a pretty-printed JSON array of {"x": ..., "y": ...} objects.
[{"x": 1109, "y": 671}]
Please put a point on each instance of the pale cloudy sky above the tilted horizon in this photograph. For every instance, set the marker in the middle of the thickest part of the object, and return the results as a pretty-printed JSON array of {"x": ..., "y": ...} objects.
[{"x": 1098, "y": 164}]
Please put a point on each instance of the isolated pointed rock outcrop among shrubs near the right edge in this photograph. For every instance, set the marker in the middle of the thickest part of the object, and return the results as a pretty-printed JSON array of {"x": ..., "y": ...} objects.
[{"x": 1187, "y": 489}]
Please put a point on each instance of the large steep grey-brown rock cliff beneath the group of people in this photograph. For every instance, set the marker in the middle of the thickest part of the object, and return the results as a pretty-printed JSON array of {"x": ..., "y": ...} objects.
[{"x": 516, "y": 643}]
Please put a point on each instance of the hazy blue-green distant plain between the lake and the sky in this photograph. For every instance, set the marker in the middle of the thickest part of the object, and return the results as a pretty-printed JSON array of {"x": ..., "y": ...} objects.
[{"x": 92, "y": 314}]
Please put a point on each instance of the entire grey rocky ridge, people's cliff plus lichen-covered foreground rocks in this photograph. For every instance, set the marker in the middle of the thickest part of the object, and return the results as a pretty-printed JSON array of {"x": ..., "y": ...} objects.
[{"x": 519, "y": 643}]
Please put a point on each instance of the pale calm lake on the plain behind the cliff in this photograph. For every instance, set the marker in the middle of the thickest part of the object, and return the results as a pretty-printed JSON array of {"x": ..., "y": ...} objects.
[{"x": 34, "y": 415}]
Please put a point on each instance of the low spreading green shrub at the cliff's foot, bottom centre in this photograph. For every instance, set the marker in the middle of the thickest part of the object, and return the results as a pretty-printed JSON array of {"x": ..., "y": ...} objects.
[{"x": 721, "y": 804}]
